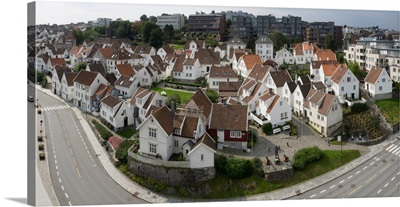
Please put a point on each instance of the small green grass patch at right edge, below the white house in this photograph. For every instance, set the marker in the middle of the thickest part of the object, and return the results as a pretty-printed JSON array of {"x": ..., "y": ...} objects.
[{"x": 390, "y": 109}]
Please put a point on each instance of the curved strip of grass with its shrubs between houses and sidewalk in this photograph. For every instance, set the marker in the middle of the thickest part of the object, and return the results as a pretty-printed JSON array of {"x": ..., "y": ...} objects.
[{"x": 238, "y": 177}]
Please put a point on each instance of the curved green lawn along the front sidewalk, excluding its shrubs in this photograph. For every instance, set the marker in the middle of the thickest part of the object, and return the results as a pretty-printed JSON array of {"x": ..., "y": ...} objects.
[{"x": 223, "y": 187}]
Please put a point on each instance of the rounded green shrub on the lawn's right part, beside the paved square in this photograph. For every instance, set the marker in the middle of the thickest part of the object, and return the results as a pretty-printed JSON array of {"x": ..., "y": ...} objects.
[{"x": 305, "y": 156}]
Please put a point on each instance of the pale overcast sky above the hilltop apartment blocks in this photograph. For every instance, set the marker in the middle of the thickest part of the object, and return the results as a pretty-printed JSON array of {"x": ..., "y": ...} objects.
[{"x": 64, "y": 12}]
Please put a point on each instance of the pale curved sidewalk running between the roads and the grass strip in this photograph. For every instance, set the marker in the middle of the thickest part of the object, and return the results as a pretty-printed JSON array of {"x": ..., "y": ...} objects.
[{"x": 152, "y": 197}]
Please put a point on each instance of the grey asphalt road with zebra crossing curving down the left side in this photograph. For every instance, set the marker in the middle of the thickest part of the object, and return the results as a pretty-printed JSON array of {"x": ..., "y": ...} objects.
[{"x": 77, "y": 175}]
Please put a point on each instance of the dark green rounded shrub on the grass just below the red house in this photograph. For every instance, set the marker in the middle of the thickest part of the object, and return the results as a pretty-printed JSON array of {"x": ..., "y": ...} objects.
[{"x": 237, "y": 168}]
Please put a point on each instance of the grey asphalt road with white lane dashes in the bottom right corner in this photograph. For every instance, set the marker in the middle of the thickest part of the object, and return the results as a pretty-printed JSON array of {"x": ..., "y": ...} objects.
[{"x": 378, "y": 177}]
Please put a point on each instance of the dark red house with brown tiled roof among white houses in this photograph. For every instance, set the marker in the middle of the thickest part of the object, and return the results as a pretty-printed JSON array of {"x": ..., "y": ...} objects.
[{"x": 230, "y": 124}]
